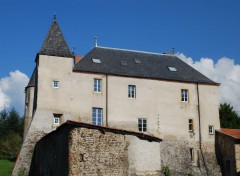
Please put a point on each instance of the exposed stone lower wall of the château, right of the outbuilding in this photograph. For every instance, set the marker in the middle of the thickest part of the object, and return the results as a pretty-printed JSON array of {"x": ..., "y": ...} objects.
[{"x": 176, "y": 155}]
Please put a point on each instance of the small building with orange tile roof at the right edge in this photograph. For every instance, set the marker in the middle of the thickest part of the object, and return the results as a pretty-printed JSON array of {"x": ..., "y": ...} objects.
[{"x": 228, "y": 150}]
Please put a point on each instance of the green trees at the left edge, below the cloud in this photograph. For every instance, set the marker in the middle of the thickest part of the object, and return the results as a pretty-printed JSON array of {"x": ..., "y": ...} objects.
[{"x": 11, "y": 131}]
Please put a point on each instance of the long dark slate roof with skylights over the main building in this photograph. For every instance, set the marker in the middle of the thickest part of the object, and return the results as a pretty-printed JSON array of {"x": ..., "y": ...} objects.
[{"x": 139, "y": 64}]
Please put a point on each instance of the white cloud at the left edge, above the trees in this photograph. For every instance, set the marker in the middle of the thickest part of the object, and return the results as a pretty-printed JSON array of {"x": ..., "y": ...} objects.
[{"x": 12, "y": 91}]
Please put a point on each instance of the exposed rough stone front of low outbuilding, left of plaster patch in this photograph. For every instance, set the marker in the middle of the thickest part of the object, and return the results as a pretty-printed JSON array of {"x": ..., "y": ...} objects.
[{"x": 93, "y": 153}]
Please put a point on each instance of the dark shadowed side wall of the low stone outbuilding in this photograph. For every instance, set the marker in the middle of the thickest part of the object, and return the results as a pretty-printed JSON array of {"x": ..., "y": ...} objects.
[{"x": 50, "y": 155}]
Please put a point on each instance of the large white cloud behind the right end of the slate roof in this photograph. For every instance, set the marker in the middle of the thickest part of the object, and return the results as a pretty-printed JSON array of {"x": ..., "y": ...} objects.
[{"x": 224, "y": 71}]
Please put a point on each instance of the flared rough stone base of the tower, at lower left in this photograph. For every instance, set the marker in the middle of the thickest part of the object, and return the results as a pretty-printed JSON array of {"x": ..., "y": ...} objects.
[{"x": 23, "y": 162}]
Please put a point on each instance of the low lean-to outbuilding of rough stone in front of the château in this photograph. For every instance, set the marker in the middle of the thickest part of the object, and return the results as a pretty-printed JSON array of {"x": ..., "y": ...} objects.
[{"x": 85, "y": 149}]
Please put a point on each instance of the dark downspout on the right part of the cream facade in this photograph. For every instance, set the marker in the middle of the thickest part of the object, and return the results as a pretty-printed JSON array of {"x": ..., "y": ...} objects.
[{"x": 200, "y": 134}]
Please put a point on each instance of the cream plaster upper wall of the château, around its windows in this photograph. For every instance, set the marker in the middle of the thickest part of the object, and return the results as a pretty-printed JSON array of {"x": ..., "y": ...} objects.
[{"x": 157, "y": 101}]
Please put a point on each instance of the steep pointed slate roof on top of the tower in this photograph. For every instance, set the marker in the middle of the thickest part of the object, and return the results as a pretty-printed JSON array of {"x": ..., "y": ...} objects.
[{"x": 55, "y": 44}]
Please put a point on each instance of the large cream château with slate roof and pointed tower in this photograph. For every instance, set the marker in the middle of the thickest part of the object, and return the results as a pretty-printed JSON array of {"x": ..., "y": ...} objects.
[{"x": 156, "y": 94}]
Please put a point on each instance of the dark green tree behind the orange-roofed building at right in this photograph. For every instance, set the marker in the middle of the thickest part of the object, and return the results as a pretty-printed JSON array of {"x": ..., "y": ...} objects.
[{"x": 228, "y": 117}]
